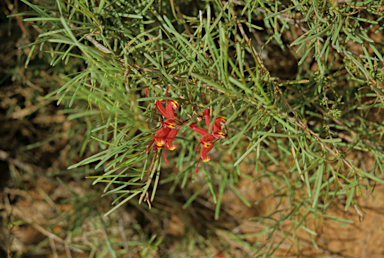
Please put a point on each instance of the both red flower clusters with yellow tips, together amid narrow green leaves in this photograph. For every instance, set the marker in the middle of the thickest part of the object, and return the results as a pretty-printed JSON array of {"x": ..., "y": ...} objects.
[{"x": 165, "y": 135}]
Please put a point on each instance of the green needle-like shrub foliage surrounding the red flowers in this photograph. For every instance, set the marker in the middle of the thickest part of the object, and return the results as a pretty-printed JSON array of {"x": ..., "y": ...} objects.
[{"x": 310, "y": 125}]
